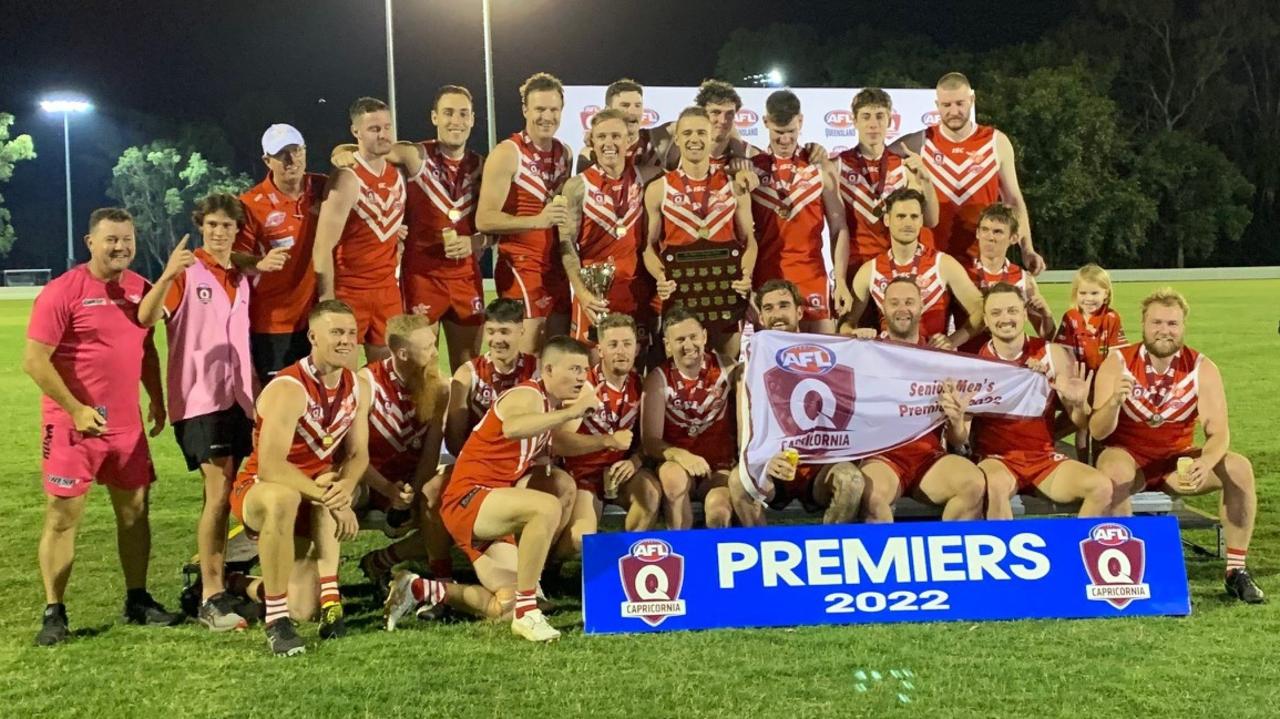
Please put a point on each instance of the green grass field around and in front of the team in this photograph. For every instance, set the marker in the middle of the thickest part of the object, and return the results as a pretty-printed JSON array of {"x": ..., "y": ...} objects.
[{"x": 1219, "y": 662}]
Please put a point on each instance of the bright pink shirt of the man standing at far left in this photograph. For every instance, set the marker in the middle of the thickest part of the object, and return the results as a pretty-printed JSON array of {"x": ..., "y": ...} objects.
[{"x": 94, "y": 326}]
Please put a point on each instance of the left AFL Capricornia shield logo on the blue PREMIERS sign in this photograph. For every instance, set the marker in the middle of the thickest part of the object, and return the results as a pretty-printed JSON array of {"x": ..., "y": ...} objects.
[{"x": 652, "y": 576}]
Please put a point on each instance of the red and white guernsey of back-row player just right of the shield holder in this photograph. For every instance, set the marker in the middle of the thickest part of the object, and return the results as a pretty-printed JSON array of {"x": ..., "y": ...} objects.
[{"x": 789, "y": 218}]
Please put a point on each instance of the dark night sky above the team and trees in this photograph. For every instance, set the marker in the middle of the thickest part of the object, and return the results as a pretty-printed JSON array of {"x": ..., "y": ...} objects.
[{"x": 243, "y": 66}]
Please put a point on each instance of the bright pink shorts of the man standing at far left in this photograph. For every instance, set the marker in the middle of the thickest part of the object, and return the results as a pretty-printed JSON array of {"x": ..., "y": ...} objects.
[{"x": 74, "y": 461}]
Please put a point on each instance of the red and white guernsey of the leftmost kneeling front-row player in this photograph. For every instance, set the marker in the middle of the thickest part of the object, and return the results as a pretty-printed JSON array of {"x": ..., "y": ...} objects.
[{"x": 326, "y": 422}]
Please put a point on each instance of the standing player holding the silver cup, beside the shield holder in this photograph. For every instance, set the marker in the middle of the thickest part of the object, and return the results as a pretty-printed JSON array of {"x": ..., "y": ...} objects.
[{"x": 601, "y": 237}]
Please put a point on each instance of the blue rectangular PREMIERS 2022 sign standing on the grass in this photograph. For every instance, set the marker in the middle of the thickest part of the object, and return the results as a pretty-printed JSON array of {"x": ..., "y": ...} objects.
[{"x": 875, "y": 574}]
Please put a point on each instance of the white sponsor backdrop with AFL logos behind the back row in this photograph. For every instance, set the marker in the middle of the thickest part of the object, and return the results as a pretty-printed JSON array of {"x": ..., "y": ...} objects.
[{"x": 828, "y": 120}]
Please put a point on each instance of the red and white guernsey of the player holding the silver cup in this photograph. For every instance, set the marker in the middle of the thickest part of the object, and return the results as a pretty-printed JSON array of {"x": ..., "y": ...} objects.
[{"x": 611, "y": 223}]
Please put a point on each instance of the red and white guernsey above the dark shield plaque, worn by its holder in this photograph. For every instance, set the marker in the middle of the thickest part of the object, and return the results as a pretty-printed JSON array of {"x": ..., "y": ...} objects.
[{"x": 698, "y": 209}]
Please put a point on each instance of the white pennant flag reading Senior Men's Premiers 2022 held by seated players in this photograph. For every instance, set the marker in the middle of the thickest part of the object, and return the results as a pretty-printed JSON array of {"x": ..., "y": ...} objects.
[{"x": 835, "y": 399}]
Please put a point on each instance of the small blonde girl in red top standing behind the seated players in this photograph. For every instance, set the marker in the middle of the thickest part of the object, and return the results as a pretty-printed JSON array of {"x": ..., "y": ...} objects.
[{"x": 1090, "y": 328}]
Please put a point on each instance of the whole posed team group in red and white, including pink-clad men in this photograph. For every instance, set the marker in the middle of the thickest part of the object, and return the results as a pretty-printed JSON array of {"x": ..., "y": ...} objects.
[{"x": 578, "y": 400}]
